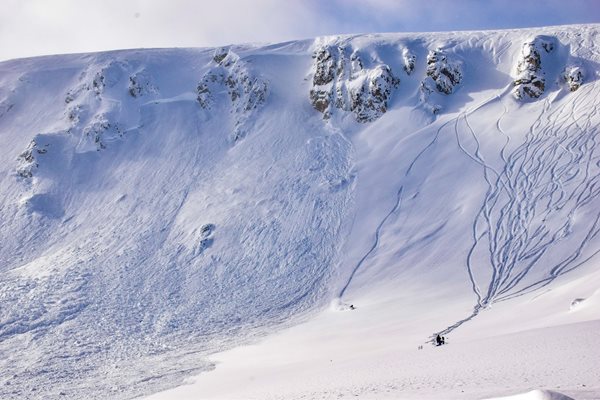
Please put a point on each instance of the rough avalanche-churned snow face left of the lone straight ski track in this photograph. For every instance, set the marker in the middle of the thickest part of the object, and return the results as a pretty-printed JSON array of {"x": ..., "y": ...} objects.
[{"x": 135, "y": 228}]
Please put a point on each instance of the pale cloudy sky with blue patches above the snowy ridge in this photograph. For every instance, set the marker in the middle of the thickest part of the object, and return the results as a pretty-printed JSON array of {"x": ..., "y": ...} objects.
[{"x": 38, "y": 27}]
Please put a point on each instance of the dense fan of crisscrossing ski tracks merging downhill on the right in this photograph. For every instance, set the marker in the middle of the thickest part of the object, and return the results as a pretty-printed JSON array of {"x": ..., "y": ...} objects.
[{"x": 552, "y": 176}]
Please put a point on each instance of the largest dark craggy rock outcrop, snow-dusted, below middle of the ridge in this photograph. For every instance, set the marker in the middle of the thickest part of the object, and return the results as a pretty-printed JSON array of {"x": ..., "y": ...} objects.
[{"x": 341, "y": 81}]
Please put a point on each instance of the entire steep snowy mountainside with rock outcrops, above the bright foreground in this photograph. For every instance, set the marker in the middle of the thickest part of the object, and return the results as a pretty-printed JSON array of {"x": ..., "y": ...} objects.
[{"x": 159, "y": 206}]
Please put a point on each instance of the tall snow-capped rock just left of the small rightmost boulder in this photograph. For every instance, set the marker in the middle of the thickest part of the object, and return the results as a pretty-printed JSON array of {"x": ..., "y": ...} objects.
[{"x": 530, "y": 80}]
